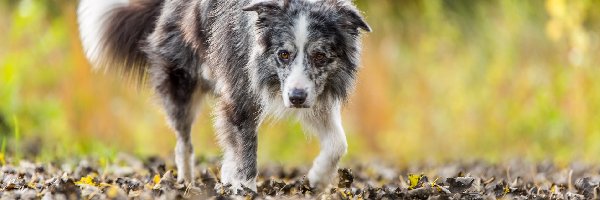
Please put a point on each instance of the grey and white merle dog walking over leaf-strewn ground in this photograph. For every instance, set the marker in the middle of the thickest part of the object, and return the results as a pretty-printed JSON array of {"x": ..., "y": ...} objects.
[{"x": 296, "y": 57}]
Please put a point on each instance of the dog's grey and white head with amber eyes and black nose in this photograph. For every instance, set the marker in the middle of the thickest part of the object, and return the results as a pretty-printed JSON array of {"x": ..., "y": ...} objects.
[{"x": 306, "y": 50}]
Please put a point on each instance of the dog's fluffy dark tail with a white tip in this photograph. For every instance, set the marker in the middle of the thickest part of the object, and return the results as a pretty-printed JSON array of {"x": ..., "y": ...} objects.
[{"x": 113, "y": 32}]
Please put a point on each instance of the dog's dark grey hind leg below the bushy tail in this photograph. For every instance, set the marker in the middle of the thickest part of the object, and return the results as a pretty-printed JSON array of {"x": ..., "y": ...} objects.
[{"x": 178, "y": 84}]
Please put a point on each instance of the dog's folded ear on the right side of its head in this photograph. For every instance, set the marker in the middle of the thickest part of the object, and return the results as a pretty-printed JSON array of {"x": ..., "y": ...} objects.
[{"x": 350, "y": 17}]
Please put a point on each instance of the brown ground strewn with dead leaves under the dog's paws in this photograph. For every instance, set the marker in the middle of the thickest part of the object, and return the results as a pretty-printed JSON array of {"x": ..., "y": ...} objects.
[{"x": 128, "y": 177}]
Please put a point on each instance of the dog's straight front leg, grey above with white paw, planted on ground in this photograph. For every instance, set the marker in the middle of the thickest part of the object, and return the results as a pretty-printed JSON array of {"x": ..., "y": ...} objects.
[{"x": 236, "y": 125}]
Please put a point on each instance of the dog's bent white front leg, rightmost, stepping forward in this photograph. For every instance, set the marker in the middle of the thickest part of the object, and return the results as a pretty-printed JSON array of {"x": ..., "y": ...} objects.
[{"x": 327, "y": 125}]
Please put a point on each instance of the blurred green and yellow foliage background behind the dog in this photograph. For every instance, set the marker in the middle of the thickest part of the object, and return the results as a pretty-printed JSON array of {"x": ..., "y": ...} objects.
[{"x": 441, "y": 80}]
